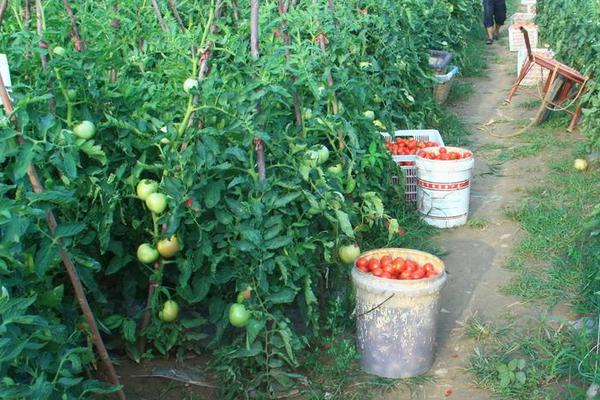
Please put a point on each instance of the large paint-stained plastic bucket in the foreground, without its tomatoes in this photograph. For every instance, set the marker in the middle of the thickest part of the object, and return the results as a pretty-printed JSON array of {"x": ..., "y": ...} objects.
[{"x": 396, "y": 319}]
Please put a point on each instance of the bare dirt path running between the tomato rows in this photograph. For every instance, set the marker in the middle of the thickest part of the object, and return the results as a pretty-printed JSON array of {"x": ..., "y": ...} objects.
[{"x": 476, "y": 254}]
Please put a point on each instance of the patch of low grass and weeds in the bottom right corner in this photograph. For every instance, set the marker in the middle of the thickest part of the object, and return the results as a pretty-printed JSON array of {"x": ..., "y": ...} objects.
[{"x": 531, "y": 360}]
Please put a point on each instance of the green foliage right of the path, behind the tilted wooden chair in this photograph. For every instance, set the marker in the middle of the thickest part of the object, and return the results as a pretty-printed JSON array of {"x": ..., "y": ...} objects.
[{"x": 576, "y": 45}]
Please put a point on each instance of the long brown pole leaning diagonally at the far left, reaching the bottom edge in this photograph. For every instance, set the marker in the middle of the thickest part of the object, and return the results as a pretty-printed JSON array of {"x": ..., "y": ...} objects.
[{"x": 66, "y": 259}]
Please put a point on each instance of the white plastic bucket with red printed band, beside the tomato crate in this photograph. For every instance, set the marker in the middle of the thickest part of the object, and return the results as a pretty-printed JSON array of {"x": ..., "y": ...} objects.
[{"x": 443, "y": 189}]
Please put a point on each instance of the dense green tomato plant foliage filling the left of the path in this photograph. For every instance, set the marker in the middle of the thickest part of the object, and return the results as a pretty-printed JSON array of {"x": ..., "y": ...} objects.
[{"x": 279, "y": 236}]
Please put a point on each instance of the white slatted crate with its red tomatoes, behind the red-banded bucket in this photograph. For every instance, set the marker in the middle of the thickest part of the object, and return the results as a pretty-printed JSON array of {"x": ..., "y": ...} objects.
[{"x": 403, "y": 146}]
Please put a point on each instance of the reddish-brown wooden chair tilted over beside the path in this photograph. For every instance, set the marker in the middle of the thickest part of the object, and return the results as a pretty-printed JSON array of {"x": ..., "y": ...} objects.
[{"x": 569, "y": 78}]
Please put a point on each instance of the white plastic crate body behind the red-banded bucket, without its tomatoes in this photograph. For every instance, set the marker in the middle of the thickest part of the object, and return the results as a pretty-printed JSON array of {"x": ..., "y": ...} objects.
[{"x": 410, "y": 171}]
